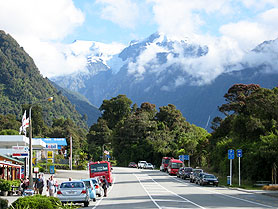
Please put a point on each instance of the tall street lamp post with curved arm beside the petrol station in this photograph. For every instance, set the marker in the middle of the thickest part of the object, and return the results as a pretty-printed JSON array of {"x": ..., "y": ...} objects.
[{"x": 30, "y": 143}]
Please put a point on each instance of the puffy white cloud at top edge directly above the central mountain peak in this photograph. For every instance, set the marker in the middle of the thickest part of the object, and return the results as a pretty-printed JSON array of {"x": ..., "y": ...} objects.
[{"x": 182, "y": 18}]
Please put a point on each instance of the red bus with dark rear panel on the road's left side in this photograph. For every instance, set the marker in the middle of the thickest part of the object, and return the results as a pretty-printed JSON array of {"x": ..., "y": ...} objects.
[{"x": 101, "y": 168}]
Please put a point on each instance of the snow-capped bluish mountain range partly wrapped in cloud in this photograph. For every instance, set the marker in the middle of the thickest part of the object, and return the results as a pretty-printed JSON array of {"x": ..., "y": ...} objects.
[{"x": 163, "y": 70}]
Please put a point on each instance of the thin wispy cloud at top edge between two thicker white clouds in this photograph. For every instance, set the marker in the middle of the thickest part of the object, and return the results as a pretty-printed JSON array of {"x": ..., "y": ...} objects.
[{"x": 122, "y": 12}]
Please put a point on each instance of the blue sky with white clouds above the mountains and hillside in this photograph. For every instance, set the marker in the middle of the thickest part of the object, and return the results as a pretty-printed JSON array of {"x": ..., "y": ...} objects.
[{"x": 46, "y": 28}]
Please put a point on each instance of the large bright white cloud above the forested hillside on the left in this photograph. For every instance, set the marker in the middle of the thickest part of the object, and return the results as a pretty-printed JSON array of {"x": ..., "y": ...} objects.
[{"x": 39, "y": 26}]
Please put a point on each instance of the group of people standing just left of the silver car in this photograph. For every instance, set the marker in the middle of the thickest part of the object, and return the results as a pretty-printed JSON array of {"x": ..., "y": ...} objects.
[{"x": 39, "y": 184}]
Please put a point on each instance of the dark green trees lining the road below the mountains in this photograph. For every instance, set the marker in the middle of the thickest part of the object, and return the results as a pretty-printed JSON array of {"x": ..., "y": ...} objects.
[{"x": 130, "y": 132}]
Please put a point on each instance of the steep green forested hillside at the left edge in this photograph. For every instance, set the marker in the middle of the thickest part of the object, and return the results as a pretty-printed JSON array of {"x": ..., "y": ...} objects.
[{"x": 21, "y": 84}]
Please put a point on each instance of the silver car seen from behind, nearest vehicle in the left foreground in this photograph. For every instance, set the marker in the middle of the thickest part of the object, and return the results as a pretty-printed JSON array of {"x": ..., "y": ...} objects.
[{"x": 75, "y": 192}]
